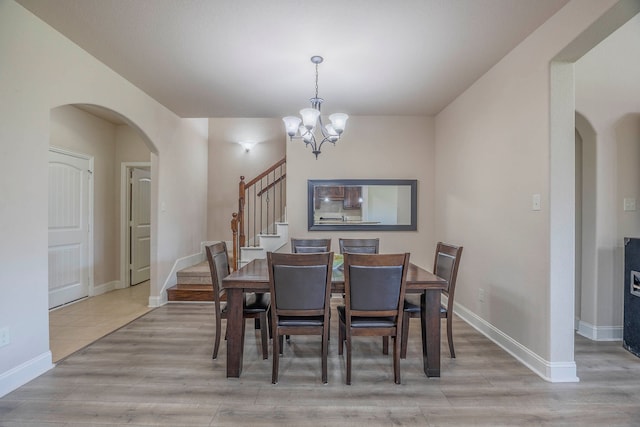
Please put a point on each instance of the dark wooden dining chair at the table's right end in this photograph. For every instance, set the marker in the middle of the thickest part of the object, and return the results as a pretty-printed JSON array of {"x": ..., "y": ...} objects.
[{"x": 445, "y": 265}]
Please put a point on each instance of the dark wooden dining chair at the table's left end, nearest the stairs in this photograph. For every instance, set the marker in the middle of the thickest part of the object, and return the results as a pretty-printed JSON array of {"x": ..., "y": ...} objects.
[{"x": 255, "y": 306}]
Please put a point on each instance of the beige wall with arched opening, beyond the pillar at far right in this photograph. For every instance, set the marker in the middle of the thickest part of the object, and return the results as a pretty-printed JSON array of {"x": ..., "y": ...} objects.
[{"x": 608, "y": 97}]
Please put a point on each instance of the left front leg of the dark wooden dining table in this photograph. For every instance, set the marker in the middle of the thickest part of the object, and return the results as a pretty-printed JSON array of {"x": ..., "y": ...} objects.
[{"x": 235, "y": 332}]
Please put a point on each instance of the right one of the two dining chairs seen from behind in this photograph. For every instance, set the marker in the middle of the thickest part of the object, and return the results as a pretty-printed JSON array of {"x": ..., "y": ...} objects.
[{"x": 375, "y": 286}]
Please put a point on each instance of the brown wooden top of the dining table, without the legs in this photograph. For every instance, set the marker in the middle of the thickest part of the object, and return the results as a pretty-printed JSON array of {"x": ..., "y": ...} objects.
[{"x": 255, "y": 277}]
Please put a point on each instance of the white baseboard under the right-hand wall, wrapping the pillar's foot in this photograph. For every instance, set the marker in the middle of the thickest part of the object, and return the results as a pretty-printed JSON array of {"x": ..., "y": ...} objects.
[{"x": 555, "y": 372}]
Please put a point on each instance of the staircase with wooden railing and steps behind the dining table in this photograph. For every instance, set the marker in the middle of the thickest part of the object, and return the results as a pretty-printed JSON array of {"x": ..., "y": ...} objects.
[{"x": 260, "y": 216}]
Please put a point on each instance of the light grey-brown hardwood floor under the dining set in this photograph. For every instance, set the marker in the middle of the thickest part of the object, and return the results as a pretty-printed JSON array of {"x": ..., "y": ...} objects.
[{"x": 157, "y": 370}]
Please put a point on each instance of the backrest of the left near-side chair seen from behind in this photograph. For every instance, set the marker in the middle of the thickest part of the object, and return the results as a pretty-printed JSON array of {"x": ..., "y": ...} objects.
[{"x": 300, "y": 284}]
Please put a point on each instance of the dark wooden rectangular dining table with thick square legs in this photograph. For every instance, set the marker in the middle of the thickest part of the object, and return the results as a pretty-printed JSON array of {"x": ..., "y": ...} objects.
[{"x": 254, "y": 277}]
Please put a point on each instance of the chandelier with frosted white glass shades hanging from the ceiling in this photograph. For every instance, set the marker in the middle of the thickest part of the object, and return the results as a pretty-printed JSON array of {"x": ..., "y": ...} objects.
[{"x": 311, "y": 118}]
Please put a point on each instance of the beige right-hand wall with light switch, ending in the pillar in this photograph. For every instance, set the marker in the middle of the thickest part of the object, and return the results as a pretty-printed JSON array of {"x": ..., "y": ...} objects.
[{"x": 493, "y": 150}]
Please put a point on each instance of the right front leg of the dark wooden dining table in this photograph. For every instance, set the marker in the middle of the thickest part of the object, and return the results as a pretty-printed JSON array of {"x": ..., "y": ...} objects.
[{"x": 430, "y": 322}]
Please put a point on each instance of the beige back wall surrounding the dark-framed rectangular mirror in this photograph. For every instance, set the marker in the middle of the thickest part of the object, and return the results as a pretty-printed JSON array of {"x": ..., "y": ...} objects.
[{"x": 371, "y": 147}]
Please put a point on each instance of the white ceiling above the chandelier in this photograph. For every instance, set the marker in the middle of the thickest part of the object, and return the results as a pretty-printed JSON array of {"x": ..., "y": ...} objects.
[{"x": 250, "y": 58}]
